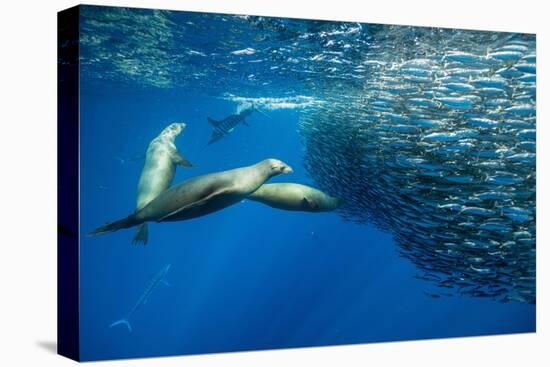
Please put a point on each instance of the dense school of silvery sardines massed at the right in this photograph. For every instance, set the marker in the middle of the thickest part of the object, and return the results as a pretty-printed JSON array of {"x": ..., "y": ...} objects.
[{"x": 438, "y": 148}]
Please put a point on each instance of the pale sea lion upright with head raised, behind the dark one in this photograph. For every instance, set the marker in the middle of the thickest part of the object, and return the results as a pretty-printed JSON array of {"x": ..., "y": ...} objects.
[{"x": 158, "y": 171}]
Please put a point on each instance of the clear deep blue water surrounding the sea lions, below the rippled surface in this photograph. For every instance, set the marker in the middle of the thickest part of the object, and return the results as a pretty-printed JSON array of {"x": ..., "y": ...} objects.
[{"x": 248, "y": 277}]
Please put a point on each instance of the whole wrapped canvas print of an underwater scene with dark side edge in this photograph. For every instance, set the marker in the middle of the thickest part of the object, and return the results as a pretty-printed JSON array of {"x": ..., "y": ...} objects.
[{"x": 250, "y": 183}]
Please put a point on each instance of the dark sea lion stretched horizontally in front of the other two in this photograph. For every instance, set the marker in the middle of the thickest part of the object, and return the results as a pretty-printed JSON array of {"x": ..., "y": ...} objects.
[{"x": 201, "y": 195}]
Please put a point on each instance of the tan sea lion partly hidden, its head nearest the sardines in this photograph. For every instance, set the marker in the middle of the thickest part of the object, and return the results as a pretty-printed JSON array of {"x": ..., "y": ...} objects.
[{"x": 296, "y": 197}]
